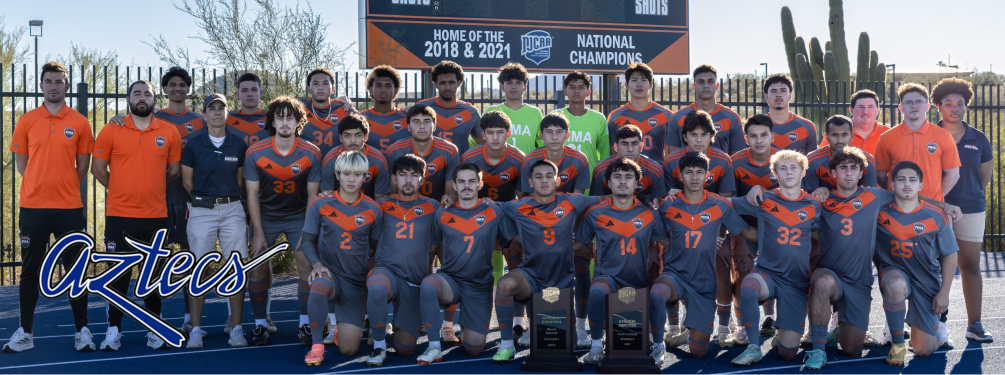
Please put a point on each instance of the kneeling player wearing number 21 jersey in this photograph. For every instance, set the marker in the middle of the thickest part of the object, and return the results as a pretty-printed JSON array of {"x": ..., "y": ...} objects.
[{"x": 403, "y": 257}]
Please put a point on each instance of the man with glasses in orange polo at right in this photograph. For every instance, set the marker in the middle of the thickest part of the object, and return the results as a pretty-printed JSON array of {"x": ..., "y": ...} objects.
[{"x": 922, "y": 142}]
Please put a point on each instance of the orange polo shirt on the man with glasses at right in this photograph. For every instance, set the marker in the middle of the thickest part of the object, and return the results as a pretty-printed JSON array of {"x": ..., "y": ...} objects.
[{"x": 931, "y": 147}]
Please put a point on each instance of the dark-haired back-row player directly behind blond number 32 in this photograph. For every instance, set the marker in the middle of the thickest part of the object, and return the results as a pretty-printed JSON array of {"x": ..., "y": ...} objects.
[{"x": 792, "y": 132}]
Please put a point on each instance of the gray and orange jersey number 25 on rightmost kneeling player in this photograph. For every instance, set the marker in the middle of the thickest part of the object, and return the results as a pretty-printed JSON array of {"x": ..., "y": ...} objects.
[{"x": 916, "y": 242}]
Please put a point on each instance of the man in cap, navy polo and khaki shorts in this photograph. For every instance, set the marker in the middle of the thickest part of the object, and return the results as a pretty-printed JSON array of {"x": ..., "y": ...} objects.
[{"x": 213, "y": 166}]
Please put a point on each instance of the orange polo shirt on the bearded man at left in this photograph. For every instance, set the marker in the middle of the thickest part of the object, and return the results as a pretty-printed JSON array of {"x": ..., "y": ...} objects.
[{"x": 138, "y": 164}]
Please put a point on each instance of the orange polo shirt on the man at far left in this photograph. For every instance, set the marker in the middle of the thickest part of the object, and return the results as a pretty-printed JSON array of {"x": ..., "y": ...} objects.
[{"x": 53, "y": 143}]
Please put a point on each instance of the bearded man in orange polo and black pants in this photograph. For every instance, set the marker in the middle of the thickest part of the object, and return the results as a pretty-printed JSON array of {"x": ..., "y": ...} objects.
[{"x": 139, "y": 153}]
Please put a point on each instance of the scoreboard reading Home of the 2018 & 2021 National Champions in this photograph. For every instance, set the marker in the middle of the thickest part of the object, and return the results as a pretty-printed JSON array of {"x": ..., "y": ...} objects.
[{"x": 600, "y": 37}]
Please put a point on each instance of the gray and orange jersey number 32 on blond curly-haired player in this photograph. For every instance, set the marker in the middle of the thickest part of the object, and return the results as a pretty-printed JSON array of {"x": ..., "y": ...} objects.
[{"x": 784, "y": 231}]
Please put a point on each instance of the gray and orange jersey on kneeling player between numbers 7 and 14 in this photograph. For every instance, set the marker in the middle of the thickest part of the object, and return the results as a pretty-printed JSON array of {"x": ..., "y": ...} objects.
[{"x": 546, "y": 231}]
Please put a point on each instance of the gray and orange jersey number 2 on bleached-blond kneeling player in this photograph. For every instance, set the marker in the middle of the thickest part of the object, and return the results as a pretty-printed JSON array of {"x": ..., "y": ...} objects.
[{"x": 344, "y": 235}]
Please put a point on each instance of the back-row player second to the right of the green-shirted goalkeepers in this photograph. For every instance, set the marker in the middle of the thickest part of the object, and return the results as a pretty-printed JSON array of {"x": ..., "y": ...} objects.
[{"x": 729, "y": 137}]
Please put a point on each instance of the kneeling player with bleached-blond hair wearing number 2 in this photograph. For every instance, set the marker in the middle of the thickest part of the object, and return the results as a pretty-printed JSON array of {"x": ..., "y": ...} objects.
[{"x": 339, "y": 234}]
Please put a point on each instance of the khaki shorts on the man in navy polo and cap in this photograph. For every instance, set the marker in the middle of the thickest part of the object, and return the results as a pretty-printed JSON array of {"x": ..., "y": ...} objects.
[{"x": 225, "y": 223}]
